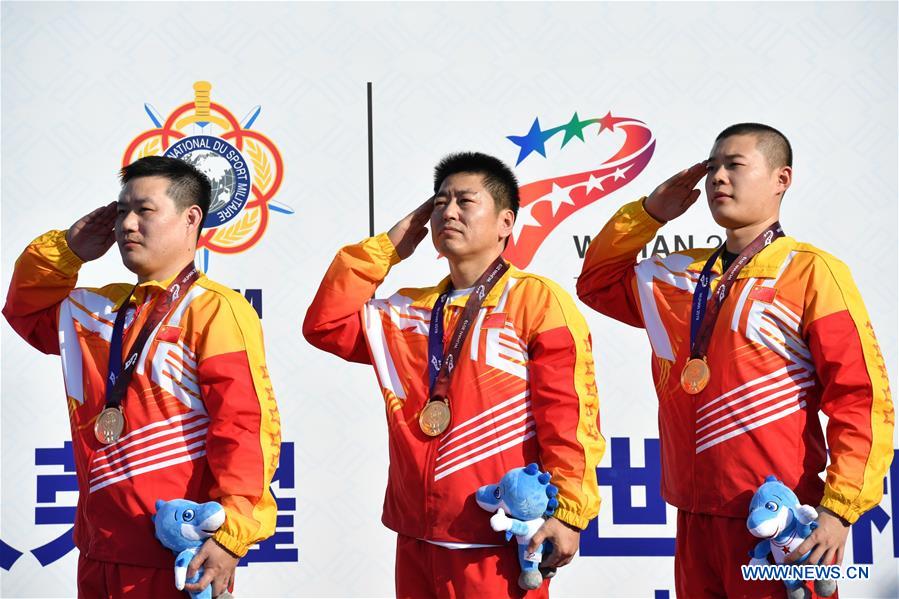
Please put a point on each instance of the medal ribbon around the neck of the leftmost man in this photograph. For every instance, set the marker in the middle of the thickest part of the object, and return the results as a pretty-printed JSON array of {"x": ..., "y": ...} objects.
[{"x": 120, "y": 372}]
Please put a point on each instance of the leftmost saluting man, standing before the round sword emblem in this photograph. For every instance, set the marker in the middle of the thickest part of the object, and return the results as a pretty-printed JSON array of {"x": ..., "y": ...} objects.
[{"x": 167, "y": 389}]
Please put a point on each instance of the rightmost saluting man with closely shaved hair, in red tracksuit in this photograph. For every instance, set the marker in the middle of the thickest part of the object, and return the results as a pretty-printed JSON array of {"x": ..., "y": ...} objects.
[{"x": 741, "y": 376}]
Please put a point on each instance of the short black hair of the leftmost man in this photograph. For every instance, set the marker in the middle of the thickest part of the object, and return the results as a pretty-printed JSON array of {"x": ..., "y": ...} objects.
[{"x": 187, "y": 185}]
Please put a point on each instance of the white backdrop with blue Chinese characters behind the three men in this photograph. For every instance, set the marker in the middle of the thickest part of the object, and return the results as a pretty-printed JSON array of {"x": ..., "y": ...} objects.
[{"x": 446, "y": 77}]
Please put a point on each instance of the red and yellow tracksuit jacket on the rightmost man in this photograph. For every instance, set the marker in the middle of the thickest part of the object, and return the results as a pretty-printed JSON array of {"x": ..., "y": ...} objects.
[{"x": 792, "y": 338}]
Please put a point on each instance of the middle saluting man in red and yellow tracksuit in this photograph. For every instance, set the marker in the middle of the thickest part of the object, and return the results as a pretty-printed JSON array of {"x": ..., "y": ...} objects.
[{"x": 522, "y": 387}]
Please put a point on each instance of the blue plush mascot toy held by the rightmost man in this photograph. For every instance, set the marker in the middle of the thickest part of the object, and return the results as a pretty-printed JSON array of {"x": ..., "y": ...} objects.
[{"x": 777, "y": 517}]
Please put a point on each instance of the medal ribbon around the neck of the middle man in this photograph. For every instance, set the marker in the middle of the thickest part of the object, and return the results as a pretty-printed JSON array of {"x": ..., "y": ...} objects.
[{"x": 439, "y": 369}]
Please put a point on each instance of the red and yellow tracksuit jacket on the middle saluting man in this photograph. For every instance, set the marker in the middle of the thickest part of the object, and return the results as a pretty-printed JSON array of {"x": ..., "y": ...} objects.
[{"x": 524, "y": 393}]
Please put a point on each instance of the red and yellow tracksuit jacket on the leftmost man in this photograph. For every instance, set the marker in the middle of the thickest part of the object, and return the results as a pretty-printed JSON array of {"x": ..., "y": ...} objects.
[{"x": 201, "y": 418}]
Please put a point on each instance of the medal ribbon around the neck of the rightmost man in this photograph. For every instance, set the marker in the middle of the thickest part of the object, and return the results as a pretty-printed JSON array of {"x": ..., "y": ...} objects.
[{"x": 703, "y": 316}]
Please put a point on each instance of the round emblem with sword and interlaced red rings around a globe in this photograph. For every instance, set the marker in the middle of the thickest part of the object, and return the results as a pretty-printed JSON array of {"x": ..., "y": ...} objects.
[{"x": 243, "y": 165}]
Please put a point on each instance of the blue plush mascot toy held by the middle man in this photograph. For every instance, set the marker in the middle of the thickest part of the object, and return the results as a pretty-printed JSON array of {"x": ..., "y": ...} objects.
[{"x": 522, "y": 501}]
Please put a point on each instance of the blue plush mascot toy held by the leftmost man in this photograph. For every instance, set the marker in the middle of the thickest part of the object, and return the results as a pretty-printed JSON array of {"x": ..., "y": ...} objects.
[{"x": 183, "y": 526}]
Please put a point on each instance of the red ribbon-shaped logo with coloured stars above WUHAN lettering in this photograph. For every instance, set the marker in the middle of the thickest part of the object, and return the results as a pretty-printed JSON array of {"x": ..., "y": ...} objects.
[{"x": 548, "y": 202}]
